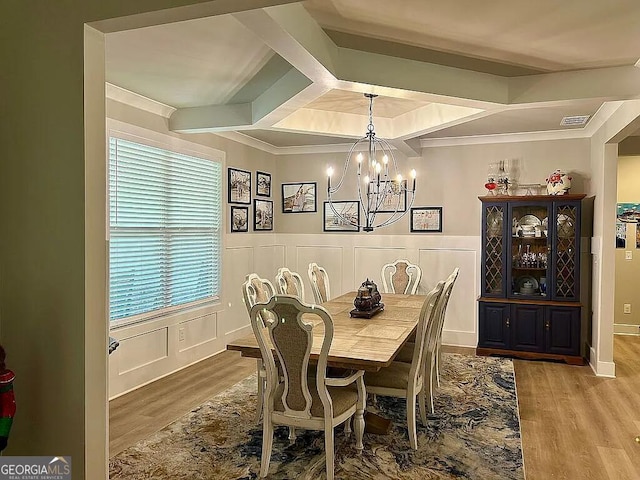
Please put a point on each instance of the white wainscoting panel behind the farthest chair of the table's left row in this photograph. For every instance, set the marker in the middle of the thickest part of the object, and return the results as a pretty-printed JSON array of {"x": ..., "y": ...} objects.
[{"x": 327, "y": 256}]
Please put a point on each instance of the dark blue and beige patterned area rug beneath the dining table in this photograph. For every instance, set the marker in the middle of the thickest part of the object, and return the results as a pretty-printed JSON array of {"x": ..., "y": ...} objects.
[{"x": 474, "y": 434}]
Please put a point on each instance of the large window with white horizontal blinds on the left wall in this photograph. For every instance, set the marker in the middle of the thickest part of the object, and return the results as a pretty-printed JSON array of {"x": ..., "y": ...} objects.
[{"x": 165, "y": 229}]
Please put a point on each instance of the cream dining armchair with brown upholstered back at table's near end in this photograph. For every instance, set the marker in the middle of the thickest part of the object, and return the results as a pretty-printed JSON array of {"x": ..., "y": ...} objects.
[{"x": 300, "y": 396}]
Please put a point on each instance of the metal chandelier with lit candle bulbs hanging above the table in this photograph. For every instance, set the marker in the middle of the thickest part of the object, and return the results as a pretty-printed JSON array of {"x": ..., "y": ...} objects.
[{"x": 380, "y": 187}]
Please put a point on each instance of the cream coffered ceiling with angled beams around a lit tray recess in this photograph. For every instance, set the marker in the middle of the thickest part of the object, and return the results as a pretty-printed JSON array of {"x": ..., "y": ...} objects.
[{"x": 294, "y": 74}]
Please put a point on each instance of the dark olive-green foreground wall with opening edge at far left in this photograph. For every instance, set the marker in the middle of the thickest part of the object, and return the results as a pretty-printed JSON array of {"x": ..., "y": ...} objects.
[{"x": 43, "y": 296}]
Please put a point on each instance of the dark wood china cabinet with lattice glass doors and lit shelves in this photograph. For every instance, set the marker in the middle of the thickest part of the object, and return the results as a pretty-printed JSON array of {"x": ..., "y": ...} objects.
[{"x": 535, "y": 297}]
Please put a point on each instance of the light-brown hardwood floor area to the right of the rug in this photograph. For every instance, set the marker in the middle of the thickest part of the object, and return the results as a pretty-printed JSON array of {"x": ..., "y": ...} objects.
[{"x": 579, "y": 426}]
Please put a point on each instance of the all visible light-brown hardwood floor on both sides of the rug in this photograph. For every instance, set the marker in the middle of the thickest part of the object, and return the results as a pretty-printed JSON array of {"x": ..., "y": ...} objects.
[{"x": 574, "y": 425}]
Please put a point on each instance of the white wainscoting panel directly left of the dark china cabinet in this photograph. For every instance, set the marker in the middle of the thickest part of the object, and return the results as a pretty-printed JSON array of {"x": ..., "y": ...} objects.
[{"x": 460, "y": 327}]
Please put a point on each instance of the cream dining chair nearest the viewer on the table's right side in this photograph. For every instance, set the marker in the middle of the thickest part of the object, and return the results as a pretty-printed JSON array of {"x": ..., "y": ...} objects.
[{"x": 406, "y": 380}]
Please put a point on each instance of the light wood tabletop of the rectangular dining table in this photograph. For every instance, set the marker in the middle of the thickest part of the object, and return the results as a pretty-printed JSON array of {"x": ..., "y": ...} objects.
[{"x": 358, "y": 343}]
